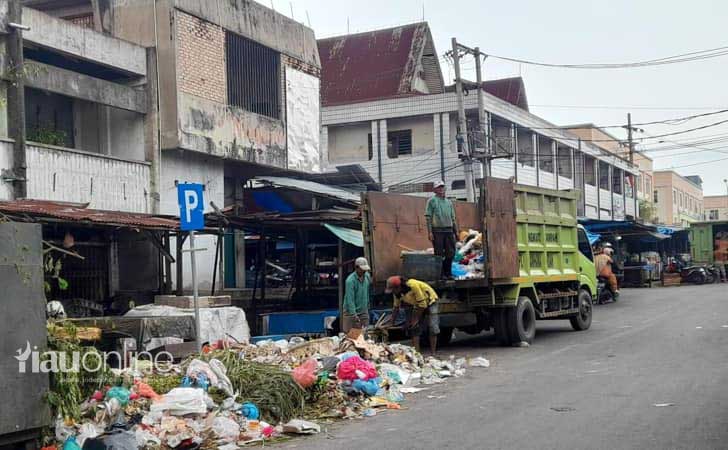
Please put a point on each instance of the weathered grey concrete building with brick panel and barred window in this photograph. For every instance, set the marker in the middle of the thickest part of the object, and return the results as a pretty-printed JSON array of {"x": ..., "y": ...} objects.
[{"x": 125, "y": 99}]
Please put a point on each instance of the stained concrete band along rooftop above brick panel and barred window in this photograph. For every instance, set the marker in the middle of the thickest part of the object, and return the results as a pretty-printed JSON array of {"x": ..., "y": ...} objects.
[{"x": 259, "y": 23}]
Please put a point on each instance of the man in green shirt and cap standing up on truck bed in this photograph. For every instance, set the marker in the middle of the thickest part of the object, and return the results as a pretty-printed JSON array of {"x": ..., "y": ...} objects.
[{"x": 442, "y": 227}]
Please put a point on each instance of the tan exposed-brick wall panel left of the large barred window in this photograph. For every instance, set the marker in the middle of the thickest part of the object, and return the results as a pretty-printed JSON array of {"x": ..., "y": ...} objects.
[{"x": 201, "y": 58}]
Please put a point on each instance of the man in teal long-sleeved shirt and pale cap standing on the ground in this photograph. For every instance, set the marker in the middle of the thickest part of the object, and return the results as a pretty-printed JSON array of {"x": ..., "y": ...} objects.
[{"x": 356, "y": 297}]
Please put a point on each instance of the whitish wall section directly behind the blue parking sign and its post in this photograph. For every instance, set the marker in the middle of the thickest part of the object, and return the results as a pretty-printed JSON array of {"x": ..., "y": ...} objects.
[{"x": 191, "y": 167}]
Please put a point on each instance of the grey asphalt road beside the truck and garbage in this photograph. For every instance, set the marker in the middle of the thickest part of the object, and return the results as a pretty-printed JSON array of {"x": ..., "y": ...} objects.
[{"x": 651, "y": 373}]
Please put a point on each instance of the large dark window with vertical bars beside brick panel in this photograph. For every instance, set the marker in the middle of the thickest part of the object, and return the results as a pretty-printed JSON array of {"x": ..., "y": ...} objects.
[{"x": 253, "y": 76}]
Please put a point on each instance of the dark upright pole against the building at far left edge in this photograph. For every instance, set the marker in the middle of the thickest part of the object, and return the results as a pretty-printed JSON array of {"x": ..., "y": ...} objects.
[{"x": 16, "y": 98}]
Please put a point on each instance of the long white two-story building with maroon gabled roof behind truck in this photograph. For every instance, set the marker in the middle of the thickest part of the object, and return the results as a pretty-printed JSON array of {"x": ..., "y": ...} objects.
[{"x": 385, "y": 106}]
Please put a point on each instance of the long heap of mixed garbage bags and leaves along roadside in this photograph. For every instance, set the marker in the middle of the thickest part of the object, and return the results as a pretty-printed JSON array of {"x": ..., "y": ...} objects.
[{"x": 236, "y": 394}]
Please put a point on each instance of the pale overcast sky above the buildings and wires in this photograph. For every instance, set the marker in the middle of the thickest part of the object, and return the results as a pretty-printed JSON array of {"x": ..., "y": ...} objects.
[{"x": 579, "y": 31}]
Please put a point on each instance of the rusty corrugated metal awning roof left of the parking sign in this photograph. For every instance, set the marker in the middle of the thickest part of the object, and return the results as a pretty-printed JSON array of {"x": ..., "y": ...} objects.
[{"x": 74, "y": 212}]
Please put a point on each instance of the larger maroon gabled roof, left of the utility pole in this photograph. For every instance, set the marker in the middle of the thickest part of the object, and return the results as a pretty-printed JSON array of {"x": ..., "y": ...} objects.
[{"x": 372, "y": 65}]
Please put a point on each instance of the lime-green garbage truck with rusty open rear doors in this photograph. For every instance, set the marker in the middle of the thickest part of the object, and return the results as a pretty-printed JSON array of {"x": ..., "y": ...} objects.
[{"x": 538, "y": 264}]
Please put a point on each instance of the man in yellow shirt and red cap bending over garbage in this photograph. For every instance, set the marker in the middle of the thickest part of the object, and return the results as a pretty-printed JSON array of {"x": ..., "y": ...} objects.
[{"x": 425, "y": 310}]
